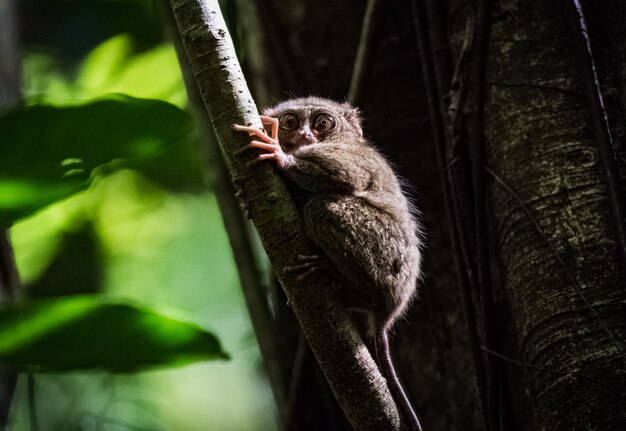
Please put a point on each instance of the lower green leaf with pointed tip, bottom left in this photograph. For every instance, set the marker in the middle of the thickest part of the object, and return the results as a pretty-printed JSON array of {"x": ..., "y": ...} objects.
[{"x": 85, "y": 332}]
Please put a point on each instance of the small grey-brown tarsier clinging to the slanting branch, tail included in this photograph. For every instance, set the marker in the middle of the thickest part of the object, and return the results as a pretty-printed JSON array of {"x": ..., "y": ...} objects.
[{"x": 354, "y": 210}]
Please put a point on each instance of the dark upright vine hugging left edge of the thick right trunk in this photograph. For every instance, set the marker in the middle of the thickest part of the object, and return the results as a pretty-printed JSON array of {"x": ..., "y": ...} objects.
[{"x": 466, "y": 106}]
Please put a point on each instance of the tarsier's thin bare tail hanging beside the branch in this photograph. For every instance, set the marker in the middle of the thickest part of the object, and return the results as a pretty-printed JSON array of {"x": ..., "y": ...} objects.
[{"x": 388, "y": 370}]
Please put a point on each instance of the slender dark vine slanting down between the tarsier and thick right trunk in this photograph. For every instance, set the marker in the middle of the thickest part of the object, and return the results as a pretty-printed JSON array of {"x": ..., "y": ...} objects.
[{"x": 435, "y": 67}]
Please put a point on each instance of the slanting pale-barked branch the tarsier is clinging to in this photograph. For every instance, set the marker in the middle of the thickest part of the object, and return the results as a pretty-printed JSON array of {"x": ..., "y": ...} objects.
[{"x": 349, "y": 368}]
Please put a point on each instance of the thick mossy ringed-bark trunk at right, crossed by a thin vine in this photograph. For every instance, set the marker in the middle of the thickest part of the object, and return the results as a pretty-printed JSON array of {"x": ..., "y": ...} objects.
[{"x": 539, "y": 141}]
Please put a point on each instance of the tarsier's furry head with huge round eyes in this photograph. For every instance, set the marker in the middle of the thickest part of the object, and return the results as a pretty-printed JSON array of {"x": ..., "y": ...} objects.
[{"x": 313, "y": 120}]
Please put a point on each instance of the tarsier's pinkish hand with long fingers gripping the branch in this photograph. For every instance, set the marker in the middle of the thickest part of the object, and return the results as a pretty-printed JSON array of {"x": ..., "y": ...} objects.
[{"x": 268, "y": 143}]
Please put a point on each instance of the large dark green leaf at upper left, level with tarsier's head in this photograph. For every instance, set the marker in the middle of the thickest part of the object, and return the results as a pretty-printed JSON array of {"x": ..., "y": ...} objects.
[{"x": 48, "y": 152}]
